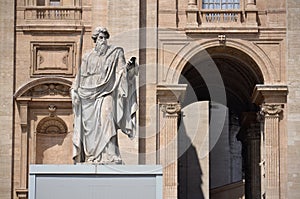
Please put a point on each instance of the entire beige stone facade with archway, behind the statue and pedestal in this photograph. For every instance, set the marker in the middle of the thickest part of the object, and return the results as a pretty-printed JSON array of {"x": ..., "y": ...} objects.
[{"x": 240, "y": 62}]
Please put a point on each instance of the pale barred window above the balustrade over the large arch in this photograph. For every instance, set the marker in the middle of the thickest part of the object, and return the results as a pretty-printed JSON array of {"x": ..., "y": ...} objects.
[{"x": 220, "y": 4}]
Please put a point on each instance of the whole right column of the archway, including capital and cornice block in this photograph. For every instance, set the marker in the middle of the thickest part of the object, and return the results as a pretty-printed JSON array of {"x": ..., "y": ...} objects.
[{"x": 272, "y": 100}]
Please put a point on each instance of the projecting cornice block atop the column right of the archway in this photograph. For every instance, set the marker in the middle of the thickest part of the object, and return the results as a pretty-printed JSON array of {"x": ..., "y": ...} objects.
[{"x": 269, "y": 94}]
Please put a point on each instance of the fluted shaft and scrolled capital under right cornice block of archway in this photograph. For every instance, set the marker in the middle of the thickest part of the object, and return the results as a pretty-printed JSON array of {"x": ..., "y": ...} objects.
[{"x": 271, "y": 114}]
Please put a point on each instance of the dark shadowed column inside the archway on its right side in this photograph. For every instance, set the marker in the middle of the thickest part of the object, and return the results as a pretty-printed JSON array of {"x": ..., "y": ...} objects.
[{"x": 253, "y": 139}]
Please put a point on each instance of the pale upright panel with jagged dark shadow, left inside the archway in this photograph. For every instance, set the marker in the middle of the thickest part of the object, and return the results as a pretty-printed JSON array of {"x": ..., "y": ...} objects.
[{"x": 193, "y": 166}]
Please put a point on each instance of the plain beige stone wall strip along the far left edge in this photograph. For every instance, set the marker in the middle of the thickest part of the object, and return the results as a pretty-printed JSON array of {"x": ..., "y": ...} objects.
[{"x": 6, "y": 92}]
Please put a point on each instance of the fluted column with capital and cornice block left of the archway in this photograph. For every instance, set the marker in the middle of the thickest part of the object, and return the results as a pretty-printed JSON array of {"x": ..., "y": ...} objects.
[{"x": 169, "y": 98}]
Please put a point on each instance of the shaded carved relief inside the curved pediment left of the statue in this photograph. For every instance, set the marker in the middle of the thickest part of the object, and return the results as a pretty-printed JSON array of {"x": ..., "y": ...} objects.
[{"x": 51, "y": 89}]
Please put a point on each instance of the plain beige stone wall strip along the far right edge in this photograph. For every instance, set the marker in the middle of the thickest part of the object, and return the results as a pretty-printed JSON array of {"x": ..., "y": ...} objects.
[{"x": 293, "y": 74}]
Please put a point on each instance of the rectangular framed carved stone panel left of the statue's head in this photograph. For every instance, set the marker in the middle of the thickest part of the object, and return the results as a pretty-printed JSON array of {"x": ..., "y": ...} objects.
[{"x": 49, "y": 58}]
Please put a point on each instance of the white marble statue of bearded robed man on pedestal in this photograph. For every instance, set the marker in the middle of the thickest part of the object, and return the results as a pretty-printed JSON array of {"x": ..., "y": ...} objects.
[{"x": 104, "y": 101}]
